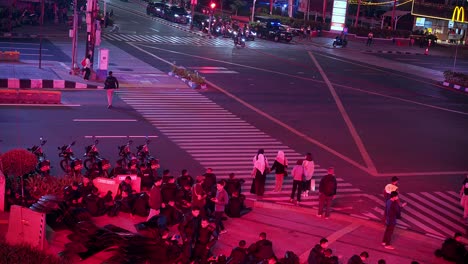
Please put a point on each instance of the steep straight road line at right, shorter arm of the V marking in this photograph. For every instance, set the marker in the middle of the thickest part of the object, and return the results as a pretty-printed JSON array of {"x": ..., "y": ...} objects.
[{"x": 347, "y": 119}]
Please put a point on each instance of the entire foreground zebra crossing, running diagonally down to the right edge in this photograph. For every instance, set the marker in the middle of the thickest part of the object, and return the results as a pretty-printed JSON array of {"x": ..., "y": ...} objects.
[{"x": 218, "y": 139}]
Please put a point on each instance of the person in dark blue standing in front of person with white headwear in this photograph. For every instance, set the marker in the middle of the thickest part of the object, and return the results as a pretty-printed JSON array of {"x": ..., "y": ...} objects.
[{"x": 392, "y": 213}]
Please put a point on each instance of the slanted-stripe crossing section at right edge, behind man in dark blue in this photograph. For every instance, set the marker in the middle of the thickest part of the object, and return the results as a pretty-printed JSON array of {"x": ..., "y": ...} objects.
[{"x": 436, "y": 213}]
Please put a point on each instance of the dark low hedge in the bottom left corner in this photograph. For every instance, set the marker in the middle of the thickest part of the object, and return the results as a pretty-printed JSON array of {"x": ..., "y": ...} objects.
[{"x": 26, "y": 254}]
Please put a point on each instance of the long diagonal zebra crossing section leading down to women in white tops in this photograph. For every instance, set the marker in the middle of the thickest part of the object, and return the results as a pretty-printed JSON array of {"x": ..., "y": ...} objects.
[{"x": 217, "y": 138}]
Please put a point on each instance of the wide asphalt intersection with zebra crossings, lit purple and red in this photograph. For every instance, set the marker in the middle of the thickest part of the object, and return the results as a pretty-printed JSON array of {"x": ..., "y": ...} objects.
[{"x": 370, "y": 122}]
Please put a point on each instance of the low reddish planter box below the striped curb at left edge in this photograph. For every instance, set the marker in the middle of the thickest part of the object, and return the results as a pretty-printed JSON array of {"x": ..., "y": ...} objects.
[{"x": 30, "y": 97}]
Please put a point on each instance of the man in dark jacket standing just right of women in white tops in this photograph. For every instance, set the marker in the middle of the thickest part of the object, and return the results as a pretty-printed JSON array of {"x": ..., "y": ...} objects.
[{"x": 327, "y": 189}]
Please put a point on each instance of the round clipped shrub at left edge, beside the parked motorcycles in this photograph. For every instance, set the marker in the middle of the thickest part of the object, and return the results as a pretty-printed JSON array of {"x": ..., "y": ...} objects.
[{"x": 18, "y": 162}]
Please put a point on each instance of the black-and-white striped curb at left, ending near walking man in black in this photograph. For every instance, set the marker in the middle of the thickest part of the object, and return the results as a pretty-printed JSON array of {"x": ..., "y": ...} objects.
[{"x": 40, "y": 83}]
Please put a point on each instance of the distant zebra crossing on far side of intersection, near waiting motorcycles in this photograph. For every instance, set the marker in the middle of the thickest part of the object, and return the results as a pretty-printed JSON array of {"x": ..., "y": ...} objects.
[{"x": 189, "y": 40}]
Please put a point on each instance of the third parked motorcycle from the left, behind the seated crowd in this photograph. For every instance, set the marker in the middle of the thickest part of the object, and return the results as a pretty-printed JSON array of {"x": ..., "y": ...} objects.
[{"x": 94, "y": 164}]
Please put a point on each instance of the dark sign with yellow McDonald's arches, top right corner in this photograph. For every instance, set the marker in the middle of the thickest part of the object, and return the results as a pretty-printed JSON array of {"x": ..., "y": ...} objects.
[{"x": 439, "y": 10}]
